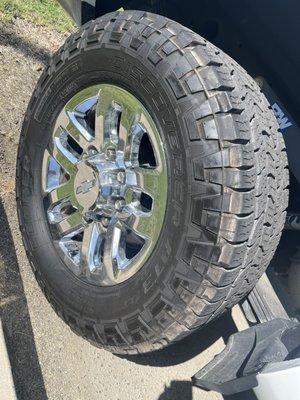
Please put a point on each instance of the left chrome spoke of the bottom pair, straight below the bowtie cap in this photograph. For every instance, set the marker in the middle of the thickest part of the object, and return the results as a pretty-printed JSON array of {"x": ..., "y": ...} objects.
[{"x": 90, "y": 250}]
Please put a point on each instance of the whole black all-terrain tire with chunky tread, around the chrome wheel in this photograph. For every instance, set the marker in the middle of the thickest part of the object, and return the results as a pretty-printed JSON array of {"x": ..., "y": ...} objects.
[{"x": 227, "y": 181}]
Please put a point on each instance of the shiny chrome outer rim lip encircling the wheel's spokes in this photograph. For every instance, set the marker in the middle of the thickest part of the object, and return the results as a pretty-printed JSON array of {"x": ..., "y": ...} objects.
[{"x": 133, "y": 265}]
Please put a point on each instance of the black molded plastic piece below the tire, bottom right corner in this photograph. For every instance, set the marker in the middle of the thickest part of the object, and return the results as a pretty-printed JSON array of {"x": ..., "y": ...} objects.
[{"x": 234, "y": 370}]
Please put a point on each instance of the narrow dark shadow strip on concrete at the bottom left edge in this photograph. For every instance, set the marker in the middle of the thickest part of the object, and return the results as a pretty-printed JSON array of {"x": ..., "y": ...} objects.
[{"x": 14, "y": 313}]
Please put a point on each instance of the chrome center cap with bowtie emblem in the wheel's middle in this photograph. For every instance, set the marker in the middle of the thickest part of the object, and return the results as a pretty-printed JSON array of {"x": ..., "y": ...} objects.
[{"x": 86, "y": 186}]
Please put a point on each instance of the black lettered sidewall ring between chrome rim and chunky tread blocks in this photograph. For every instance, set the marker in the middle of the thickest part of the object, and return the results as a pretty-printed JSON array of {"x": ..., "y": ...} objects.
[{"x": 95, "y": 66}]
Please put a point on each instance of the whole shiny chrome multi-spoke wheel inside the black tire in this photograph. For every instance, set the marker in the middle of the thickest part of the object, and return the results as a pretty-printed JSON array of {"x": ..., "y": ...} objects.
[{"x": 105, "y": 185}]
